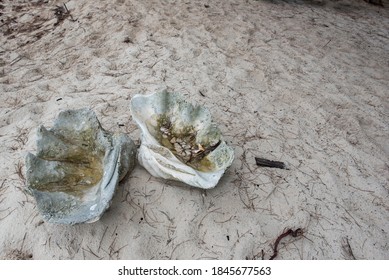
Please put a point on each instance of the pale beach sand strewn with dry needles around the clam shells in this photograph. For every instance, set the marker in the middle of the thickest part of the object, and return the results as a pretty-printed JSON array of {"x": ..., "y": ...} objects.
[{"x": 303, "y": 82}]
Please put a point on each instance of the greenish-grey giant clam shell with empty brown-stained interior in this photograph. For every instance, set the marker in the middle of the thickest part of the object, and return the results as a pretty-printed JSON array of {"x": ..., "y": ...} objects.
[{"x": 77, "y": 167}]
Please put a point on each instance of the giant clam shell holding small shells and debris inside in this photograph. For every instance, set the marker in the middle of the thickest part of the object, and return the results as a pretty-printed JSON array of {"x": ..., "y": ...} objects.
[{"x": 179, "y": 141}]
